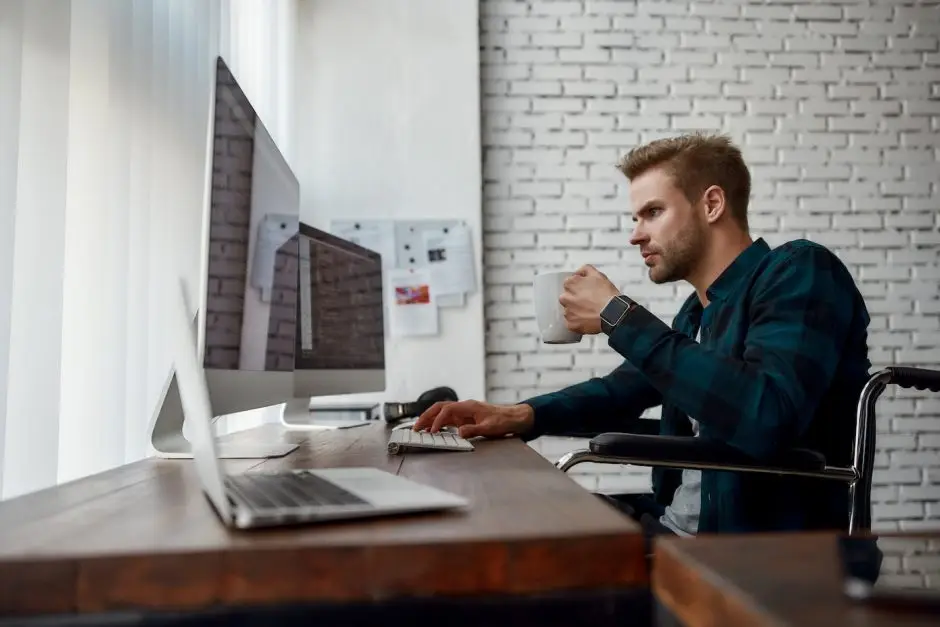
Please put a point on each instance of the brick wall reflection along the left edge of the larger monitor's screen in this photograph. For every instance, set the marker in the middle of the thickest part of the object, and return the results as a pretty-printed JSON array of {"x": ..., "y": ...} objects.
[{"x": 229, "y": 223}]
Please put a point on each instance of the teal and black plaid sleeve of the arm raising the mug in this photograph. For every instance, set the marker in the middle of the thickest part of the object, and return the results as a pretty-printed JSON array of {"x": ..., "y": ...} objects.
[{"x": 798, "y": 315}]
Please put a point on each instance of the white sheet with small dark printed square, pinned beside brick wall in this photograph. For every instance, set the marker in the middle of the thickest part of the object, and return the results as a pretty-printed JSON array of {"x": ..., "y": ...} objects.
[{"x": 450, "y": 259}]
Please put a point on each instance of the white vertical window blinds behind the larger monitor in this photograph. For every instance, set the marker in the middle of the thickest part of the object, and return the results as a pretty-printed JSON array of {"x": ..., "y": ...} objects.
[{"x": 103, "y": 112}]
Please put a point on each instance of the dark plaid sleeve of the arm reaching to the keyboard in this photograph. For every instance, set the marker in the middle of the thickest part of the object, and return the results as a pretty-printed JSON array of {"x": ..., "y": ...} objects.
[{"x": 598, "y": 405}]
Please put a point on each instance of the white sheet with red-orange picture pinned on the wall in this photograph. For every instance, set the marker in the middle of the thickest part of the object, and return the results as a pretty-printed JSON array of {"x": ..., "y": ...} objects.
[{"x": 413, "y": 311}]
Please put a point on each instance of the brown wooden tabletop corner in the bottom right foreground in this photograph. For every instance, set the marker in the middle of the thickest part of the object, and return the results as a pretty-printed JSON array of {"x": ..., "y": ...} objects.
[{"x": 774, "y": 579}]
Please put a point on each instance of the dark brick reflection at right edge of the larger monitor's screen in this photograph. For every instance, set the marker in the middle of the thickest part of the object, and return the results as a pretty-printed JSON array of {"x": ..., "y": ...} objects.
[{"x": 282, "y": 324}]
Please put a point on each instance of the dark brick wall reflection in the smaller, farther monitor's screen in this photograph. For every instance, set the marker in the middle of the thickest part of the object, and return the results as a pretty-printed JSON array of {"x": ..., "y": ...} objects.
[{"x": 347, "y": 321}]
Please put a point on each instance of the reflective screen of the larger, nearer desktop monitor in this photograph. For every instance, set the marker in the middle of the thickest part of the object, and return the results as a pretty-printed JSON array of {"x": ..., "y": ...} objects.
[{"x": 251, "y": 304}]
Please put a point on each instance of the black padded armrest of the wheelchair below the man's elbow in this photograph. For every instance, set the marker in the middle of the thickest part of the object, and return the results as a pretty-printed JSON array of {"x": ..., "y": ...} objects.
[{"x": 688, "y": 449}]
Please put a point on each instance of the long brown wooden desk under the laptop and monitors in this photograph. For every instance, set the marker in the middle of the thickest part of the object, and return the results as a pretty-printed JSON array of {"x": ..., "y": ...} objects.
[{"x": 144, "y": 536}]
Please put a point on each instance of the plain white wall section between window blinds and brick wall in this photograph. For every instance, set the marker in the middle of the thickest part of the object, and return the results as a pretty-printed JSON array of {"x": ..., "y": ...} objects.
[{"x": 387, "y": 125}]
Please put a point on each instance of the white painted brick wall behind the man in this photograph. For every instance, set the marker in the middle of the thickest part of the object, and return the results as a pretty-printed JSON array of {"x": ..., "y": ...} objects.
[{"x": 837, "y": 108}]
